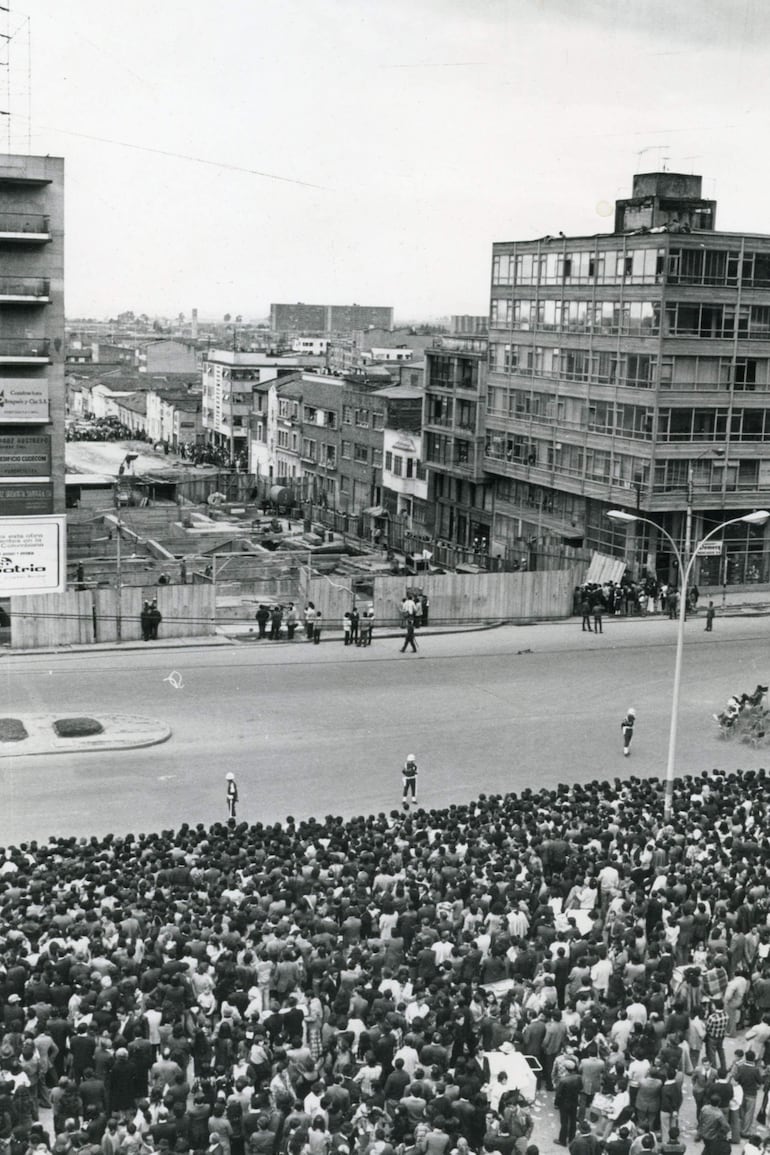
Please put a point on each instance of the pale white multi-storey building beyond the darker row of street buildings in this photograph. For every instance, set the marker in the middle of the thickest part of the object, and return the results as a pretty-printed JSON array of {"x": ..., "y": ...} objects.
[{"x": 229, "y": 382}]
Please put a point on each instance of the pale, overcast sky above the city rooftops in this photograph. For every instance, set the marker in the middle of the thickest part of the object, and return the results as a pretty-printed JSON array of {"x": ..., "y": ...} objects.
[{"x": 230, "y": 154}]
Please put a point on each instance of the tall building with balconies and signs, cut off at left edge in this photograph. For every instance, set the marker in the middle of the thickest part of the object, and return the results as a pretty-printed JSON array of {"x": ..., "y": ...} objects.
[{"x": 32, "y": 339}]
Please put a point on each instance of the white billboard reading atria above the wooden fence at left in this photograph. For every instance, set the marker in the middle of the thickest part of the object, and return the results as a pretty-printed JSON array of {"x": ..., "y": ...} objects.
[{"x": 33, "y": 556}]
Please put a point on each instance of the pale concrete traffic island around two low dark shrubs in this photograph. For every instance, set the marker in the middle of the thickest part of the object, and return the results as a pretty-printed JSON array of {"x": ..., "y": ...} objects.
[{"x": 122, "y": 732}]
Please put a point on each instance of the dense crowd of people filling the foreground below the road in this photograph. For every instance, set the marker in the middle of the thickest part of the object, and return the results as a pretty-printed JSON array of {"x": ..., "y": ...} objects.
[{"x": 364, "y": 987}]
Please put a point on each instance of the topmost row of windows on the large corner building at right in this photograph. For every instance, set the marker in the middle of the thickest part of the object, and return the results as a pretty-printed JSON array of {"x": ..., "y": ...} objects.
[{"x": 698, "y": 266}]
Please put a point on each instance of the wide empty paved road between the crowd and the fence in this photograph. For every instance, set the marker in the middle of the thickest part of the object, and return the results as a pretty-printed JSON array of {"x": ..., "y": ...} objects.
[{"x": 316, "y": 731}]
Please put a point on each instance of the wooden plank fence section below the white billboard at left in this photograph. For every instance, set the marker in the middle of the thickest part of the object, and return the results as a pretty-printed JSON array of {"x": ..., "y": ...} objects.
[{"x": 83, "y": 617}]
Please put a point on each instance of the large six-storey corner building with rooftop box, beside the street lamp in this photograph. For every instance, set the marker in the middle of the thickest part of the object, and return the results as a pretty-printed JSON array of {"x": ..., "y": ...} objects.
[{"x": 633, "y": 369}]
